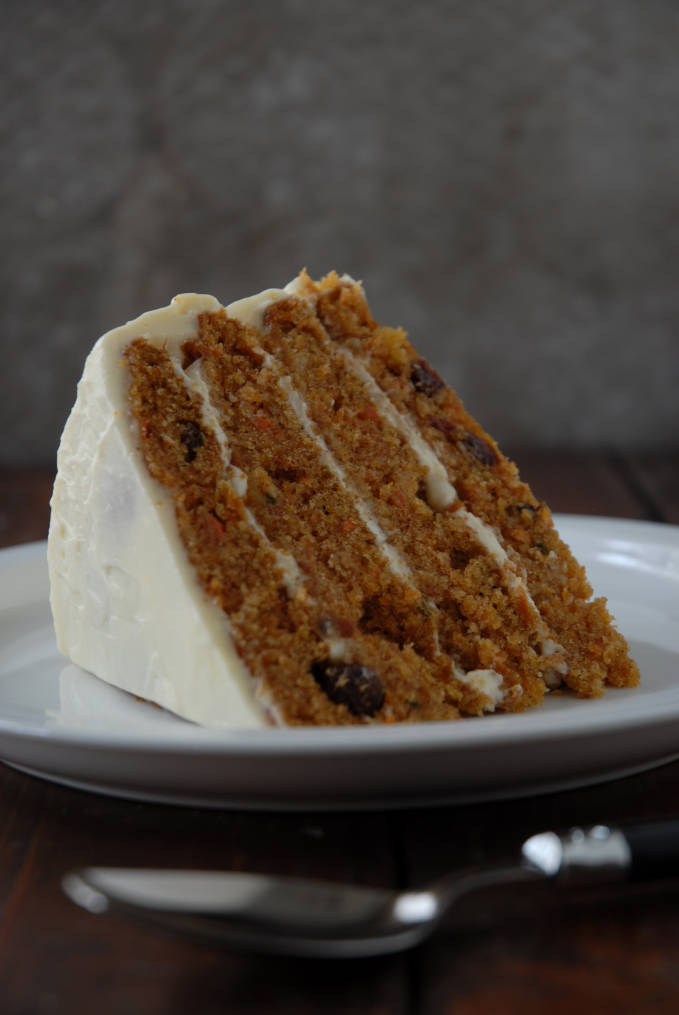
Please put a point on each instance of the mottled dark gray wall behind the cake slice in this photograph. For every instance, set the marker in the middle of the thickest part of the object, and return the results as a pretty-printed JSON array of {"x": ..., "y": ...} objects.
[{"x": 503, "y": 176}]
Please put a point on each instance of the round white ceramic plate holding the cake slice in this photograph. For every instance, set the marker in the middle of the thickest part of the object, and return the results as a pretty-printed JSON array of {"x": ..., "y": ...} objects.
[{"x": 62, "y": 724}]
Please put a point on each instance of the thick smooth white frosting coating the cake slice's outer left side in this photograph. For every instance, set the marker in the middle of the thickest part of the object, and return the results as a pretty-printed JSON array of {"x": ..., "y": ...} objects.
[{"x": 125, "y": 601}]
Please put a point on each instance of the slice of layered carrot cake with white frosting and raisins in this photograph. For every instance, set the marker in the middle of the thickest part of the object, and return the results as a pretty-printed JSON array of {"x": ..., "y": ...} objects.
[{"x": 279, "y": 513}]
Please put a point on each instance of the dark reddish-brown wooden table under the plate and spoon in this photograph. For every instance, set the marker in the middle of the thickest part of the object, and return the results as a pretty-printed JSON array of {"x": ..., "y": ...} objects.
[{"x": 522, "y": 952}]
